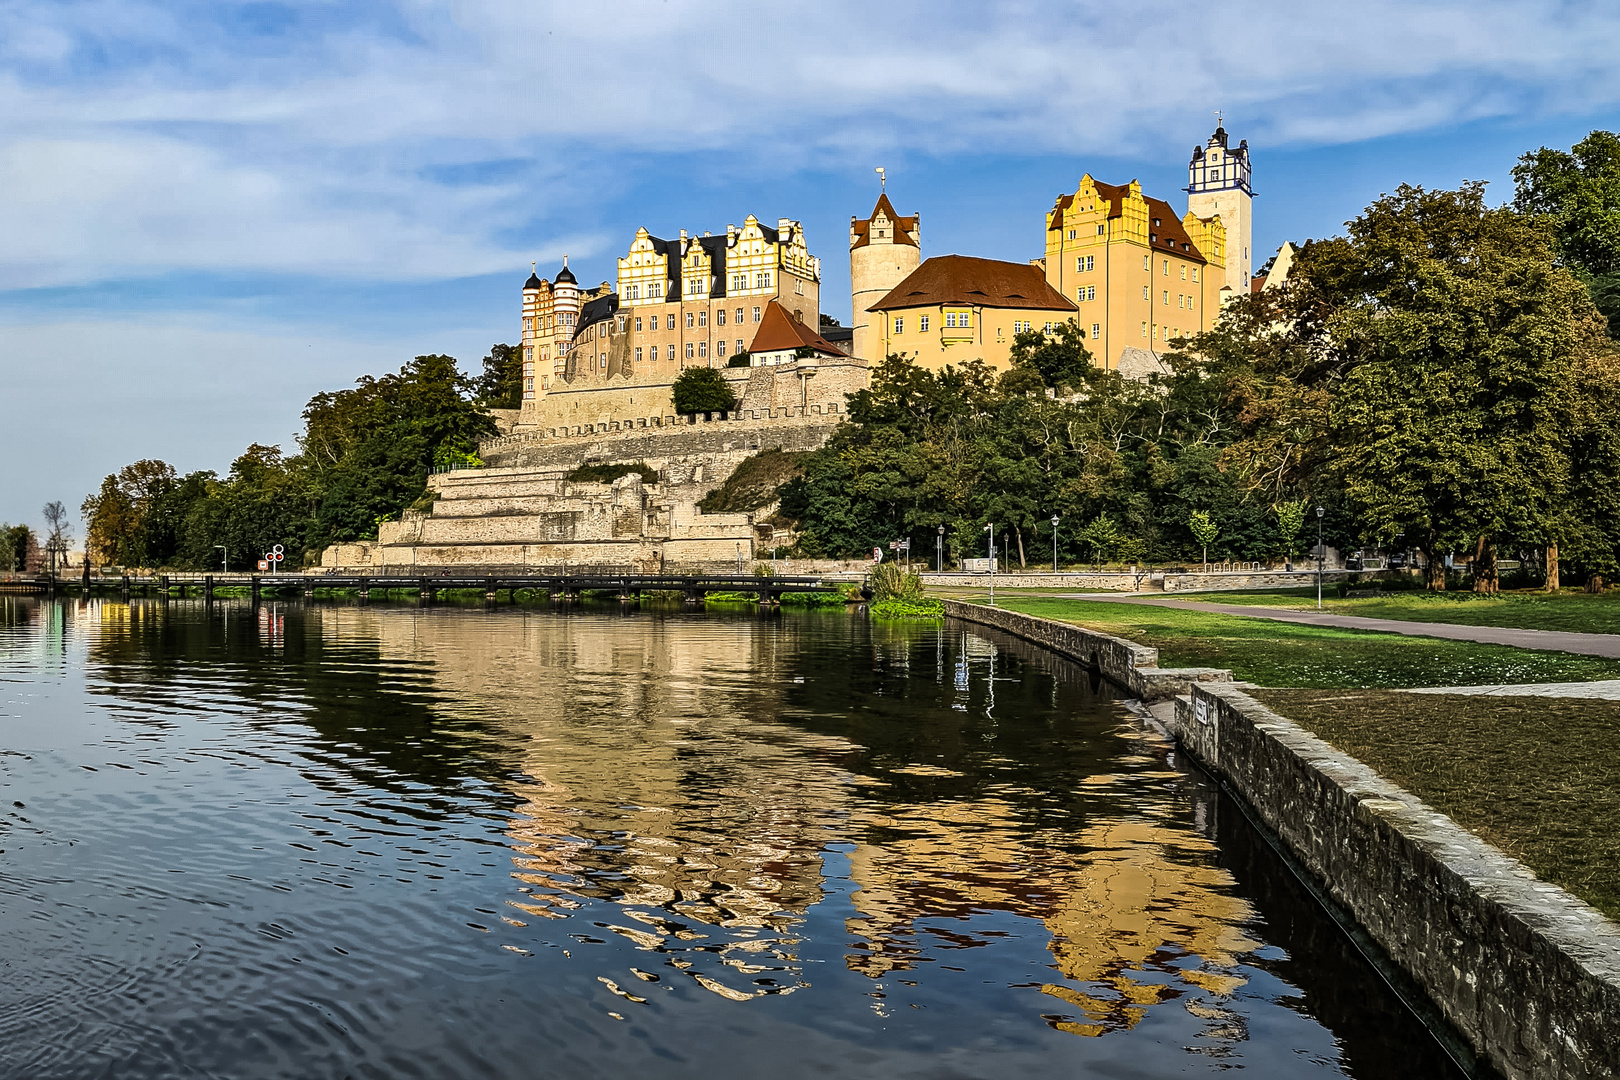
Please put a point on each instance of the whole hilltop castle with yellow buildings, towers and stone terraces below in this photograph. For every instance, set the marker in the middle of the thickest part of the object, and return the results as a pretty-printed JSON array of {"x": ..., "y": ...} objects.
[{"x": 600, "y": 364}]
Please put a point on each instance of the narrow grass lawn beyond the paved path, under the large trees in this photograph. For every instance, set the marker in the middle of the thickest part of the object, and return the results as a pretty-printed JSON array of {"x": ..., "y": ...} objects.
[{"x": 1571, "y": 610}]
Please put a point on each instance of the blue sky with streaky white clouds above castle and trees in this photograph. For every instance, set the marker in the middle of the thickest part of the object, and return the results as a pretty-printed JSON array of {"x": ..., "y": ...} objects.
[{"x": 211, "y": 211}]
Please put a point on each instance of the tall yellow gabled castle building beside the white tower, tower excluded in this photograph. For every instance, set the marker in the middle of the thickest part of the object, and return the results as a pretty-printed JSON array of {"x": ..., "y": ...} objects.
[{"x": 1138, "y": 274}]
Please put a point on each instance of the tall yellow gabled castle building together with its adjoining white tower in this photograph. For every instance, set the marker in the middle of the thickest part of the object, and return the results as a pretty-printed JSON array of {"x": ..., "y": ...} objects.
[{"x": 1143, "y": 276}]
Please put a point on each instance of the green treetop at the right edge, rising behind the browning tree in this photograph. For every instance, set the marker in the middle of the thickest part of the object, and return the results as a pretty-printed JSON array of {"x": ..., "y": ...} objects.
[{"x": 1579, "y": 192}]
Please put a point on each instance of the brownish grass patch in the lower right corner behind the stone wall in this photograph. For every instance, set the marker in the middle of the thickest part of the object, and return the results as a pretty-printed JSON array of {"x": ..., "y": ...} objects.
[{"x": 1540, "y": 778}]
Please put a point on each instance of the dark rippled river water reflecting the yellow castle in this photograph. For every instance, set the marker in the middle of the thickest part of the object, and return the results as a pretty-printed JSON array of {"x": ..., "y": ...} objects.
[{"x": 343, "y": 841}]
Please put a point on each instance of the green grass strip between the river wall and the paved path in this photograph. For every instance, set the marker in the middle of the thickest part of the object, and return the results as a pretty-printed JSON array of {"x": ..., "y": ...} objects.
[{"x": 1282, "y": 655}]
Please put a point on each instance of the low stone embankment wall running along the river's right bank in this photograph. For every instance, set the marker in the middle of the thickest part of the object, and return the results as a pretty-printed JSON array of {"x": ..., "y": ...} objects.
[{"x": 1525, "y": 974}]
